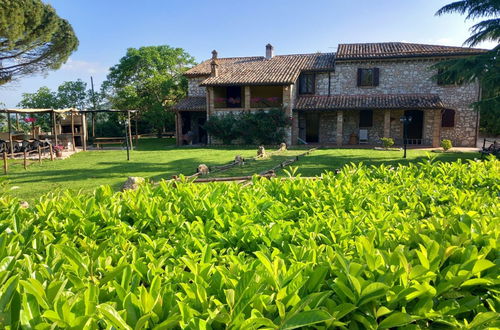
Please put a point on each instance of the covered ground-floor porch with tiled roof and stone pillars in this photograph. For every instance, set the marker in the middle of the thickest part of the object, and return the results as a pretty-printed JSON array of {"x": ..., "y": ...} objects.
[{"x": 364, "y": 120}]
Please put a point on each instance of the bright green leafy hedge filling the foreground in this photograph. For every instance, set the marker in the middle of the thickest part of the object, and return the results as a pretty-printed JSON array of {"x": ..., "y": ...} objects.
[{"x": 367, "y": 248}]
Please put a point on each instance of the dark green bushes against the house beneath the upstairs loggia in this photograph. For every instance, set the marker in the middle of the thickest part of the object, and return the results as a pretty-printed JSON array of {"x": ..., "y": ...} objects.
[{"x": 261, "y": 127}]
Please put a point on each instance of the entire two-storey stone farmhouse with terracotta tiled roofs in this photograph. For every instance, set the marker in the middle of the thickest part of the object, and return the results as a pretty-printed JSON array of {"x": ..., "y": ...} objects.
[{"x": 356, "y": 95}]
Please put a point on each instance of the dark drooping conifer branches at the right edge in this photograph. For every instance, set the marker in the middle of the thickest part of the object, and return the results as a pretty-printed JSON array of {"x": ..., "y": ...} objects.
[{"x": 484, "y": 67}]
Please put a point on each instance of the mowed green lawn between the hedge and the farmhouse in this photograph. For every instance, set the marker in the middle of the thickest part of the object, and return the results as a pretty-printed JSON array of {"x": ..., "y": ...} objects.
[{"x": 158, "y": 159}]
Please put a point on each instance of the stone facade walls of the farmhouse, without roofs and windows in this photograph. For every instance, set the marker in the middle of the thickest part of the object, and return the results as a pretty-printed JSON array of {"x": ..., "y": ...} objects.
[{"x": 396, "y": 77}]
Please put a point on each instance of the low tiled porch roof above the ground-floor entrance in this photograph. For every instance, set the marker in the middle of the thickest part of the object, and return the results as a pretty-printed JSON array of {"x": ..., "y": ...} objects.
[{"x": 381, "y": 101}]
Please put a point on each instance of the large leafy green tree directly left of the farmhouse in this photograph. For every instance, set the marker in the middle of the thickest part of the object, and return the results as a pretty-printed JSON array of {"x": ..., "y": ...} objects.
[{"x": 149, "y": 79}]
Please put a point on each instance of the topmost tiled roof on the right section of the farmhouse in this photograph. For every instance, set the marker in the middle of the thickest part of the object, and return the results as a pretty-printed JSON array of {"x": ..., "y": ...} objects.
[{"x": 382, "y": 50}]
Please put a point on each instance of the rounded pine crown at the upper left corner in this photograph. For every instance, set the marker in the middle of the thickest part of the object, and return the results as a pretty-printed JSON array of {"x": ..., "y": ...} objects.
[{"x": 33, "y": 39}]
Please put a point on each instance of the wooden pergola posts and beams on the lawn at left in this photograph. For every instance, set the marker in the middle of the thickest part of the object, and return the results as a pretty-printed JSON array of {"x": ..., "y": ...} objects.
[{"x": 72, "y": 112}]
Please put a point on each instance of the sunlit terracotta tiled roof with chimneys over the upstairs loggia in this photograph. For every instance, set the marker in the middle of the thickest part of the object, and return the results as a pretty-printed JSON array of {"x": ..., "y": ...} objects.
[{"x": 279, "y": 70}]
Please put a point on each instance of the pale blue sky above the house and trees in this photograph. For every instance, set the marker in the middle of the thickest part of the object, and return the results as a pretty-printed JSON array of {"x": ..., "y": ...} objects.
[{"x": 106, "y": 28}]
